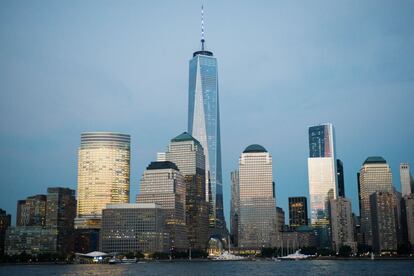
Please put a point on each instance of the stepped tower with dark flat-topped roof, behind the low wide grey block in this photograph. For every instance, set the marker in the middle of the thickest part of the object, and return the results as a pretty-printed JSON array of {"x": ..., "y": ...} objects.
[{"x": 163, "y": 184}]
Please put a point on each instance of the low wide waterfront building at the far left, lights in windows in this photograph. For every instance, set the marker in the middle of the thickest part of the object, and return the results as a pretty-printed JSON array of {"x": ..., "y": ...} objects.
[{"x": 31, "y": 240}]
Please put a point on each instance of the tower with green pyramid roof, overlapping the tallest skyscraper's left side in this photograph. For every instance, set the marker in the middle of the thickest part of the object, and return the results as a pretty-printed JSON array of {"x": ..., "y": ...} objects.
[{"x": 188, "y": 154}]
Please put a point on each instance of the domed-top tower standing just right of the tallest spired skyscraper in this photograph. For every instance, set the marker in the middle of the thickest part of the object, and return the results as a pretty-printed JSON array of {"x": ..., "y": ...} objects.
[{"x": 257, "y": 219}]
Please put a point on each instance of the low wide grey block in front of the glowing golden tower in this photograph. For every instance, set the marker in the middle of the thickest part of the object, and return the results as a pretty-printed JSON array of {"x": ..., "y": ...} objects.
[{"x": 132, "y": 227}]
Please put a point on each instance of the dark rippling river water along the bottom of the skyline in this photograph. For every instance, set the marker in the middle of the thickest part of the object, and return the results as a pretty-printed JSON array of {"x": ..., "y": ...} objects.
[{"x": 258, "y": 268}]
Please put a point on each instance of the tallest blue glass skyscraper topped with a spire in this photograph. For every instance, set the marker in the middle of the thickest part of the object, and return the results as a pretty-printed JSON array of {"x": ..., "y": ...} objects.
[{"x": 204, "y": 124}]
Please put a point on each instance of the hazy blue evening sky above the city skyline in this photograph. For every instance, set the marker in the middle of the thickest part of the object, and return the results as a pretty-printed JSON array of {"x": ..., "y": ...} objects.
[{"x": 68, "y": 67}]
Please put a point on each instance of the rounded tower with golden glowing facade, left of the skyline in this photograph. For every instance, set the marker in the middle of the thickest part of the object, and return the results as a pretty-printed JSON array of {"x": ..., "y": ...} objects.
[{"x": 103, "y": 175}]
